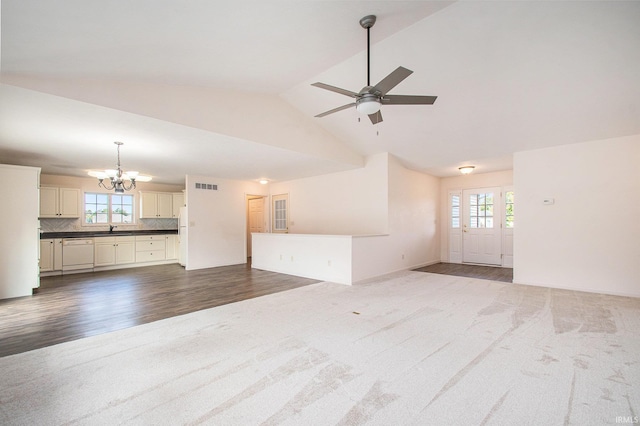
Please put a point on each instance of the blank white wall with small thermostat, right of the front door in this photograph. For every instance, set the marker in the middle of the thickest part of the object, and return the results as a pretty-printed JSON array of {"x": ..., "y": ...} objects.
[{"x": 588, "y": 239}]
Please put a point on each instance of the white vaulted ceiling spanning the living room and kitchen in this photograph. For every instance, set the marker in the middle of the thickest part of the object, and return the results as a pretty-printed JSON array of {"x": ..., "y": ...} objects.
[{"x": 222, "y": 88}]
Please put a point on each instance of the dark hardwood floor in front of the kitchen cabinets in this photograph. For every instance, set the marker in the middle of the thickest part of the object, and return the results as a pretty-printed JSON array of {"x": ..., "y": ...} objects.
[{"x": 71, "y": 307}]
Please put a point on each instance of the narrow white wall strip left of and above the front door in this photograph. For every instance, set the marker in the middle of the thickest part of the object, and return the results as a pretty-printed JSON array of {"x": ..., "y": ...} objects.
[{"x": 471, "y": 181}]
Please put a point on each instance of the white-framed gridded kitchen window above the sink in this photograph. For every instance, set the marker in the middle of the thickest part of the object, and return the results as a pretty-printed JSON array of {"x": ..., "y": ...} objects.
[{"x": 107, "y": 208}]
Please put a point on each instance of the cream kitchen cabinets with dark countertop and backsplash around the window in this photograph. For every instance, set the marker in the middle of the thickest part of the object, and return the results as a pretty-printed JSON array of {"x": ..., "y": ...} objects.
[{"x": 69, "y": 245}]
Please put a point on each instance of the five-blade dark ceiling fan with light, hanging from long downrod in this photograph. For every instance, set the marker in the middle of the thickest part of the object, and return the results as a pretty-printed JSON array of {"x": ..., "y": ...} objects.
[{"x": 371, "y": 98}]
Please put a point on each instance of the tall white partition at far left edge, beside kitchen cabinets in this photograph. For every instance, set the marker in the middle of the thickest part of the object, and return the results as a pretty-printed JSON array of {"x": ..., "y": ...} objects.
[{"x": 19, "y": 241}]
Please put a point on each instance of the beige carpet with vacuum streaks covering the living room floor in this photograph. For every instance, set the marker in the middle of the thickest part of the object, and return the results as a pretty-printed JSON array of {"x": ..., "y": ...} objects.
[{"x": 414, "y": 348}]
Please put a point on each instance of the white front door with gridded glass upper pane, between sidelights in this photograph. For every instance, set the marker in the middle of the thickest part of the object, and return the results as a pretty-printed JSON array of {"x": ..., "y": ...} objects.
[{"x": 481, "y": 229}]
